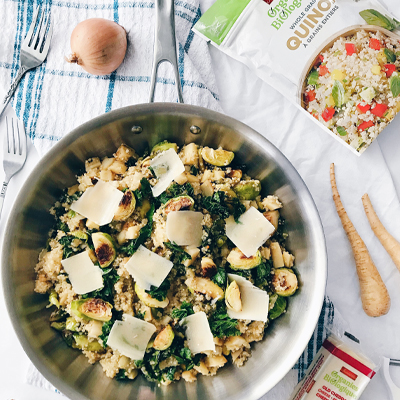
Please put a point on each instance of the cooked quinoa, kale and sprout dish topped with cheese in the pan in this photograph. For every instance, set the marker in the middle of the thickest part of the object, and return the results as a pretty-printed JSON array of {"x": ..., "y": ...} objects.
[{"x": 172, "y": 263}]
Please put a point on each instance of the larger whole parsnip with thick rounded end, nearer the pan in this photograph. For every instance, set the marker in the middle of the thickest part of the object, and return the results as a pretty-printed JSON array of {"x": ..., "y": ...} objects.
[{"x": 374, "y": 295}]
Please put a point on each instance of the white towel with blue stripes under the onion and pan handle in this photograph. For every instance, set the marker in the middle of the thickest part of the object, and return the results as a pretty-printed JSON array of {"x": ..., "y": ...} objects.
[{"x": 56, "y": 97}]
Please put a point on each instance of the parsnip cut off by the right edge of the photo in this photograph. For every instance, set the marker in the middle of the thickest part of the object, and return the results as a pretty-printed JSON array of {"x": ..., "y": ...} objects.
[{"x": 391, "y": 245}]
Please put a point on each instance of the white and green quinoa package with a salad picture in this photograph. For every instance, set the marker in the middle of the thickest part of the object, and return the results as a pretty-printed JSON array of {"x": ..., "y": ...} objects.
[{"x": 338, "y": 60}]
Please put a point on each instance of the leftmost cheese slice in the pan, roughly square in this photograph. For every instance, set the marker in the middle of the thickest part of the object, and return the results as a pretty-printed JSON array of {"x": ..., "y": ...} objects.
[{"x": 82, "y": 273}]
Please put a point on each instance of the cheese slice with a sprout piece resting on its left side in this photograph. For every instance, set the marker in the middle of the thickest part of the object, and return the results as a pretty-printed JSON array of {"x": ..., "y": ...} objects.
[{"x": 255, "y": 302}]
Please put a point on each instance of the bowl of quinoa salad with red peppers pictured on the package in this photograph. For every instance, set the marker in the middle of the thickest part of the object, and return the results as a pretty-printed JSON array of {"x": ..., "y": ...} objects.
[{"x": 354, "y": 87}]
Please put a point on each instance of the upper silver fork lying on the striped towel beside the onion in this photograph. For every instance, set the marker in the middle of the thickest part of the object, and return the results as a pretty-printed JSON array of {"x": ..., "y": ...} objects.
[{"x": 34, "y": 51}]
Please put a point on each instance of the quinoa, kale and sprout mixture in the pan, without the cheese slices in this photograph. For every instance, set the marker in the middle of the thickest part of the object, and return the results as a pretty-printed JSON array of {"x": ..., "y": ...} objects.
[{"x": 196, "y": 283}]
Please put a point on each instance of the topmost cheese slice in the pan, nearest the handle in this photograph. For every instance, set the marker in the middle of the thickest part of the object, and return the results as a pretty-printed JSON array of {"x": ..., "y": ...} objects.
[{"x": 167, "y": 166}]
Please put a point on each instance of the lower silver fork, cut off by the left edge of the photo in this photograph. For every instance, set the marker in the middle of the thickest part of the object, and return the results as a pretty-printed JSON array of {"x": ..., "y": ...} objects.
[{"x": 14, "y": 153}]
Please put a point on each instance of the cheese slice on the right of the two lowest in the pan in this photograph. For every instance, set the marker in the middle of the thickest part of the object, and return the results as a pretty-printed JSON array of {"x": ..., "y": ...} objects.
[{"x": 198, "y": 333}]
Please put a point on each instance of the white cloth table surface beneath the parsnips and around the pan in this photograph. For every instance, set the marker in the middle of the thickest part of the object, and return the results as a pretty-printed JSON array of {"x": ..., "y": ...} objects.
[{"x": 262, "y": 108}]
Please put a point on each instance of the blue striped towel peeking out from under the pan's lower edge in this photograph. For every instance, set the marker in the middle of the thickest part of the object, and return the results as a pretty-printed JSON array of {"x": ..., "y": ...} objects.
[{"x": 328, "y": 321}]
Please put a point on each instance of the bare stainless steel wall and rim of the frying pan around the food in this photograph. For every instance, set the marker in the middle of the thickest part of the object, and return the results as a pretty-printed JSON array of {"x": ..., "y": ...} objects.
[{"x": 142, "y": 126}]
